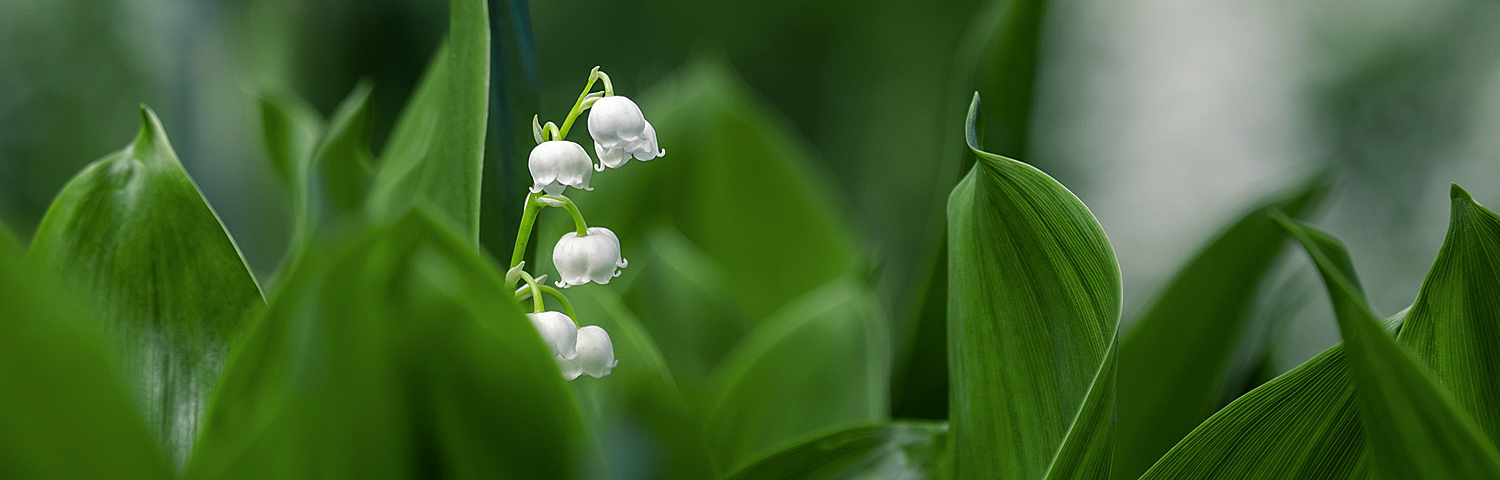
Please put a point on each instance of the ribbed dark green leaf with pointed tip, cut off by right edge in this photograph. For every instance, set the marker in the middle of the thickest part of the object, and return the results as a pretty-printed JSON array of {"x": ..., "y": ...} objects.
[{"x": 1454, "y": 326}]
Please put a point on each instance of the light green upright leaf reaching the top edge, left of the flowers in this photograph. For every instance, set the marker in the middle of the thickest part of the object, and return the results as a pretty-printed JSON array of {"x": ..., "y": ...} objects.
[{"x": 437, "y": 149}]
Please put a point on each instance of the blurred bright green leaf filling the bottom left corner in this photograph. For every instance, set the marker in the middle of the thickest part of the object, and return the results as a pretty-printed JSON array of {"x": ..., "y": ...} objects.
[{"x": 68, "y": 415}]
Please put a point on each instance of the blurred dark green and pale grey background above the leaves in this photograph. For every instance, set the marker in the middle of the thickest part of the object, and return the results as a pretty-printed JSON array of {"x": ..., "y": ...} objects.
[{"x": 1168, "y": 118}]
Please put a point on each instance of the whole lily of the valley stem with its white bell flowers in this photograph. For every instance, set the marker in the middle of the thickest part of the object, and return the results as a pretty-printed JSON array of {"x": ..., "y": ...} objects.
[{"x": 587, "y": 254}]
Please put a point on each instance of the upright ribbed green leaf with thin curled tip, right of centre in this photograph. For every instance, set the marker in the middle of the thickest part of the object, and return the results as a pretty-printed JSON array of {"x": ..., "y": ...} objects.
[{"x": 1034, "y": 305}]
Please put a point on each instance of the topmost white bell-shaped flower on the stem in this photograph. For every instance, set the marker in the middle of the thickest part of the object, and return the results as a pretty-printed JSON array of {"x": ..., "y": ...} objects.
[{"x": 620, "y": 131}]
